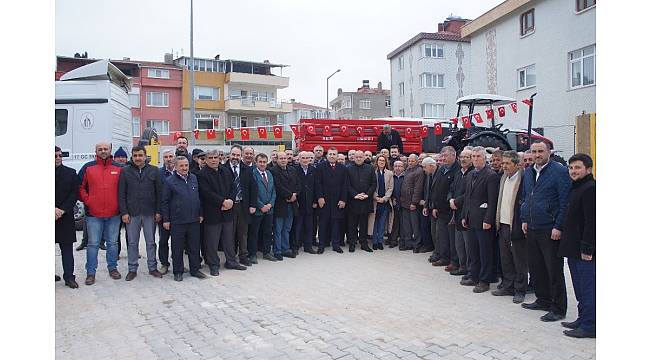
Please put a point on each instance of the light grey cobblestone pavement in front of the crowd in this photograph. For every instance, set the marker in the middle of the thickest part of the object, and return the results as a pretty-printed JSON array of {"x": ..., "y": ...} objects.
[{"x": 384, "y": 305}]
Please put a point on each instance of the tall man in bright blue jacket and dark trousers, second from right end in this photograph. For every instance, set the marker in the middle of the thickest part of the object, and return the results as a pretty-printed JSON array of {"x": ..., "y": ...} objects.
[{"x": 546, "y": 194}]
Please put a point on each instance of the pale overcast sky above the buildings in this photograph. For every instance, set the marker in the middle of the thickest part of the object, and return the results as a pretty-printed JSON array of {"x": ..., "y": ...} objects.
[{"x": 314, "y": 37}]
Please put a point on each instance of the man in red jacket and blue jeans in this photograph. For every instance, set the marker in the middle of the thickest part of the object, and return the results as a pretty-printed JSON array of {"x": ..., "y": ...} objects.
[{"x": 98, "y": 191}]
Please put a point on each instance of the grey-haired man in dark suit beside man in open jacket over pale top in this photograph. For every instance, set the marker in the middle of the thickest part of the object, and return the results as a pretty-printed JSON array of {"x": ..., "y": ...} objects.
[{"x": 478, "y": 216}]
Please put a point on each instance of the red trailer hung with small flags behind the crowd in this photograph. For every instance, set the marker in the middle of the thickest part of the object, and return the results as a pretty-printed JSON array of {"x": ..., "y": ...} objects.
[{"x": 344, "y": 134}]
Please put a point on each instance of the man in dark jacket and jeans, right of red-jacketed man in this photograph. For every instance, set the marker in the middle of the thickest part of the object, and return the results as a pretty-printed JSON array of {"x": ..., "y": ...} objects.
[{"x": 139, "y": 197}]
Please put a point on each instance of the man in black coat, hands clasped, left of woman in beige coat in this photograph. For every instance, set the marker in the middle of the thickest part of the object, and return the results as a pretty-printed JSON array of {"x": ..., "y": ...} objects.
[{"x": 362, "y": 185}]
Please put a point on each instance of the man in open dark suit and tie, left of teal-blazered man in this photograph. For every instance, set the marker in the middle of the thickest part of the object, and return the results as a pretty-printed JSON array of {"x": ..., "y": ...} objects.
[{"x": 245, "y": 200}]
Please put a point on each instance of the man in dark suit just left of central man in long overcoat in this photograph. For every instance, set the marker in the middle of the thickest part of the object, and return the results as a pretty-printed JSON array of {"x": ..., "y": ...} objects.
[{"x": 307, "y": 202}]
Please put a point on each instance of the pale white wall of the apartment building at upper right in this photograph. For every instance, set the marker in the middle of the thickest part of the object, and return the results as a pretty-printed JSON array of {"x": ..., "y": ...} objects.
[{"x": 558, "y": 31}]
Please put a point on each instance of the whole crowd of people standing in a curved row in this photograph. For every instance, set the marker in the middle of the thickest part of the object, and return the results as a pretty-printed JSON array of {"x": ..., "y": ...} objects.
[{"x": 512, "y": 219}]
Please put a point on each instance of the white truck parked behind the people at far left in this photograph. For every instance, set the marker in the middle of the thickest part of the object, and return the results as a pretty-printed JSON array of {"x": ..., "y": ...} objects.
[{"x": 92, "y": 105}]
